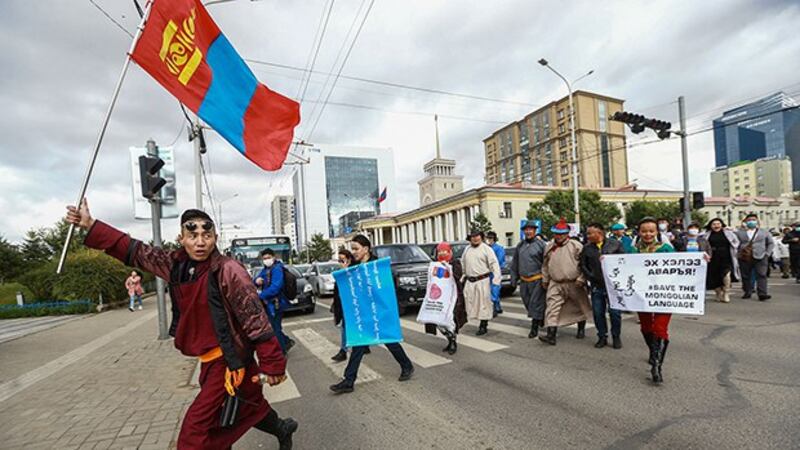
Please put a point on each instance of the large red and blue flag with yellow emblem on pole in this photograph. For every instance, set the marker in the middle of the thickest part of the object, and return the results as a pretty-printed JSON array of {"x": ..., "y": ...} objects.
[{"x": 184, "y": 50}]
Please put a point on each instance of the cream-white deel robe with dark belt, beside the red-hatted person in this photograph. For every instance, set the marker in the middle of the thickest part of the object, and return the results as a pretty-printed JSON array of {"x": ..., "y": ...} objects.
[{"x": 479, "y": 263}]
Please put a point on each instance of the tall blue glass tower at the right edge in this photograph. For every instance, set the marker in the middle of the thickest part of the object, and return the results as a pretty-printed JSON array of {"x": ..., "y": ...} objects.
[{"x": 767, "y": 127}]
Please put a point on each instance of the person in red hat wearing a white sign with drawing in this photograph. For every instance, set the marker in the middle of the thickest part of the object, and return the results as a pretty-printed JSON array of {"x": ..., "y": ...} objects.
[{"x": 444, "y": 309}]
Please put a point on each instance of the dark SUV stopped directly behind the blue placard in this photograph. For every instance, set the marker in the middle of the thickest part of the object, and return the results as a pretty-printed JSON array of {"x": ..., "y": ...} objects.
[{"x": 410, "y": 272}]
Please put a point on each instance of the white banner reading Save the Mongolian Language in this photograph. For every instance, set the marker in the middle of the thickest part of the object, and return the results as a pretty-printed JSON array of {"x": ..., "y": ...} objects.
[{"x": 656, "y": 282}]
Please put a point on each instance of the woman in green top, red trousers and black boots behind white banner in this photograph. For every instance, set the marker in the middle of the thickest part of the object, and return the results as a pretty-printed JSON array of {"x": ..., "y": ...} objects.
[{"x": 654, "y": 326}]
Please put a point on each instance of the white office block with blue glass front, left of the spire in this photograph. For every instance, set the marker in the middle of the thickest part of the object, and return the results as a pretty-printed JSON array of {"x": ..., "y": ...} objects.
[{"x": 339, "y": 180}]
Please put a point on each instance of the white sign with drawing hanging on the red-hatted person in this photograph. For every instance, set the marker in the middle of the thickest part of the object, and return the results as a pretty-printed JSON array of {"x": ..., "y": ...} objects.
[{"x": 440, "y": 297}]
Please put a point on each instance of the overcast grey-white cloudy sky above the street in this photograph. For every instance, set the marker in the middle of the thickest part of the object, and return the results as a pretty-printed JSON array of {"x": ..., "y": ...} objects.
[{"x": 59, "y": 61}]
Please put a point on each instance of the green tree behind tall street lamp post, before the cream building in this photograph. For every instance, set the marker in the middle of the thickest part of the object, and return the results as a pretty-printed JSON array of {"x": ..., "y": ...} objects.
[{"x": 559, "y": 204}]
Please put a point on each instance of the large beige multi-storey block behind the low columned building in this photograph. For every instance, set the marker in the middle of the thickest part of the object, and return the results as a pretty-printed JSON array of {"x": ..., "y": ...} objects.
[{"x": 537, "y": 148}]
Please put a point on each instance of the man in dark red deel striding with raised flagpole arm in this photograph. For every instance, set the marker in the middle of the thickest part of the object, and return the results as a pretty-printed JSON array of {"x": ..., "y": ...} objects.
[{"x": 217, "y": 318}]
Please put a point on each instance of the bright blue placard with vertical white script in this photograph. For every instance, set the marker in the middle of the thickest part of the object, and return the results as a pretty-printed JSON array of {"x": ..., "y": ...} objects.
[{"x": 369, "y": 304}]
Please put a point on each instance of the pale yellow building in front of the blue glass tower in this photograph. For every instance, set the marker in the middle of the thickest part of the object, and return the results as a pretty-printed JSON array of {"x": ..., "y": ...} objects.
[{"x": 766, "y": 177}]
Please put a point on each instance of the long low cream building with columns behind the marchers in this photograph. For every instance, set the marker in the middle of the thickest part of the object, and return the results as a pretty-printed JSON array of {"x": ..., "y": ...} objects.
[{"x": 505, "y": 205}]
